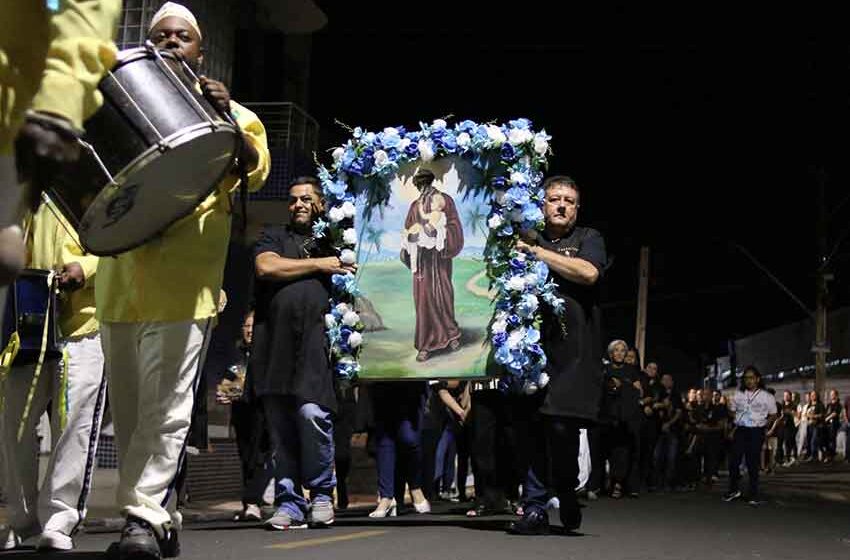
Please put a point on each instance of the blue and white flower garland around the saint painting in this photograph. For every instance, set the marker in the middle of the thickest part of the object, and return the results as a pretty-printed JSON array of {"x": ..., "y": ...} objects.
[{"x": 511, "y": 158}]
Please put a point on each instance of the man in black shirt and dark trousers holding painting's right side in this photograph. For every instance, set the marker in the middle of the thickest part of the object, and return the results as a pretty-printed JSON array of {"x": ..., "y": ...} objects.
[{"x": 573, "y": 343}]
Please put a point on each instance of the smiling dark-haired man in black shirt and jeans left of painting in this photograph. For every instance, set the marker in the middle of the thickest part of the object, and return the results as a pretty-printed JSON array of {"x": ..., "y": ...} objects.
[{"x": 290, "y": 364}]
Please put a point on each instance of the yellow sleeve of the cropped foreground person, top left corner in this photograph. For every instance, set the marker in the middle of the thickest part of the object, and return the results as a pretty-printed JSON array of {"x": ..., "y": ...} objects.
[{"x": 81, "y": 51}]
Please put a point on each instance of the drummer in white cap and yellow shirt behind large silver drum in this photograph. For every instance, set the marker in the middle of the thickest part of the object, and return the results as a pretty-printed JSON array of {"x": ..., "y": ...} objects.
[{"x": 156, "y": 305}]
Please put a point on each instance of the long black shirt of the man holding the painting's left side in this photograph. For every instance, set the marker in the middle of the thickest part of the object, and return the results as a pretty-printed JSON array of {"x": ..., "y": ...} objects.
[{"x": 290, "y": 355}]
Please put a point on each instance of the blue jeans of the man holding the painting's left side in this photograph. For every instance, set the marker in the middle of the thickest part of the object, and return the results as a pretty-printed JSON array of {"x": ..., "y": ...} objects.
[{"x": 302, "y": 439}]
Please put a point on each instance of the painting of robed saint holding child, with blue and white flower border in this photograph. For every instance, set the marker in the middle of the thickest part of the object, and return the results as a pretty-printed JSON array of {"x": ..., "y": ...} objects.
[{"x": 431, "y": 217}]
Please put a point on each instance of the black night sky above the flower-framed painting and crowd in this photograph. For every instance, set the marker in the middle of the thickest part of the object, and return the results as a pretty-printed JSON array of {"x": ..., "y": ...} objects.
[{"x": 686, "y": 131}]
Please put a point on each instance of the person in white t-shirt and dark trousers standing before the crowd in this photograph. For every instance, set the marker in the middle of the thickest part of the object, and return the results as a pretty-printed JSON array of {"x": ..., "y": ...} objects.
[{"x": 753, "y": 409}]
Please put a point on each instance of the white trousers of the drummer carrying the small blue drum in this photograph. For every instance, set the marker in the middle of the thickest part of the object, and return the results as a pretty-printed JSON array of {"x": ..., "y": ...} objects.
[{"x": 62, "y": 501}]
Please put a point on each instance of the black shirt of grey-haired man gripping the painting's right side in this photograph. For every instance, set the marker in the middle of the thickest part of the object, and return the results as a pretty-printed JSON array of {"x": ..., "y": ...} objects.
[{"x": 575, "y": 359}]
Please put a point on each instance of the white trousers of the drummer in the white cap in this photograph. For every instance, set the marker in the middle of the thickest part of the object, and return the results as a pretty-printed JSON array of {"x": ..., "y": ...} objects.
[{"x": 153, "y": 371}]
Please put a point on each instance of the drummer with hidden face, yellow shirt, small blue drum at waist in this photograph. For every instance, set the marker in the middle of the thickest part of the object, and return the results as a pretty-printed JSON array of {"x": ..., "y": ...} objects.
[{"x": 73, "y": 387}]
